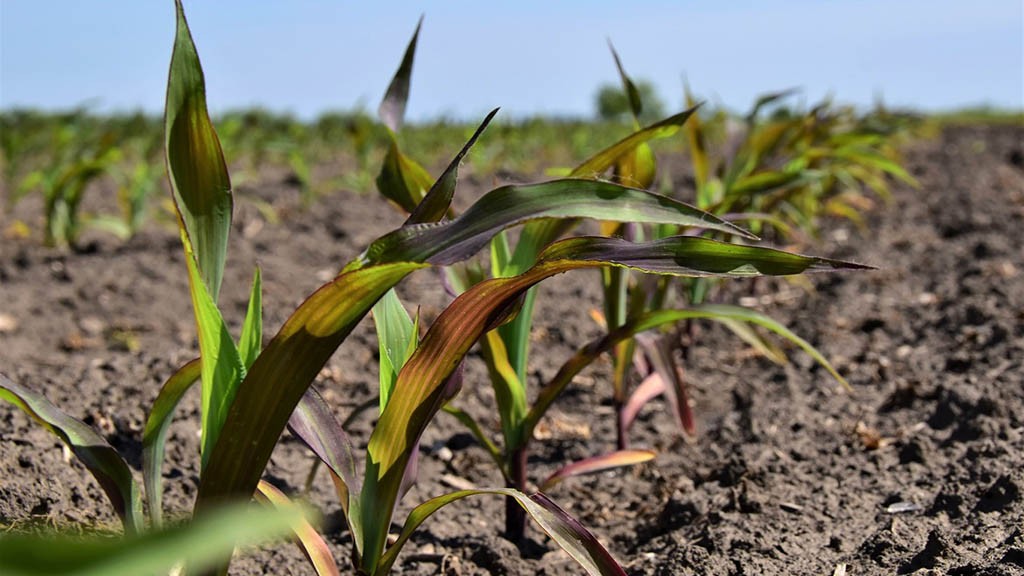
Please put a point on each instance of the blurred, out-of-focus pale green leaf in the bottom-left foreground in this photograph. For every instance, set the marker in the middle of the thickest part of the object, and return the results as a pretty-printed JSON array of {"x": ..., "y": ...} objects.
[{"x": 202, "y": 544}]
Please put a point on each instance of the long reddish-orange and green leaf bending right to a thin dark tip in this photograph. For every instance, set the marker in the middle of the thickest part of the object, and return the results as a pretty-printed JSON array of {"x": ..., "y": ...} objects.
[{"x": 419, "y": 392}]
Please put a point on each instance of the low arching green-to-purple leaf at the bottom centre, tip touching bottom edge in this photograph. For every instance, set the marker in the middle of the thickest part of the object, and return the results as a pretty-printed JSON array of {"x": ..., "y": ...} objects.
[{"x": 564, "y": 529}]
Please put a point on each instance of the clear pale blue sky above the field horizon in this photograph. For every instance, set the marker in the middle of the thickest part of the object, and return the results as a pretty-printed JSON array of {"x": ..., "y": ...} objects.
[{"x": 531, "y": 57}]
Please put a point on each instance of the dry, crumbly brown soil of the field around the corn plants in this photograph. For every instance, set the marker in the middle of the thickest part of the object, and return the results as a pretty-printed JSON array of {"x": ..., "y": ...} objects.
[{"x": 919, "y": 471}]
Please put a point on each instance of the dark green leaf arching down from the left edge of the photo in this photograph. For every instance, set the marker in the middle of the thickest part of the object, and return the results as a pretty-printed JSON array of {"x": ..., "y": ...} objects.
[{"x": 92, "y": 449}]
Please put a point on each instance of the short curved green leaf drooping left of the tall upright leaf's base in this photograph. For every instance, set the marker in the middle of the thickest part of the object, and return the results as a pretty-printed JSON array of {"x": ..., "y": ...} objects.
[{"x": 155, "y": 435}]
